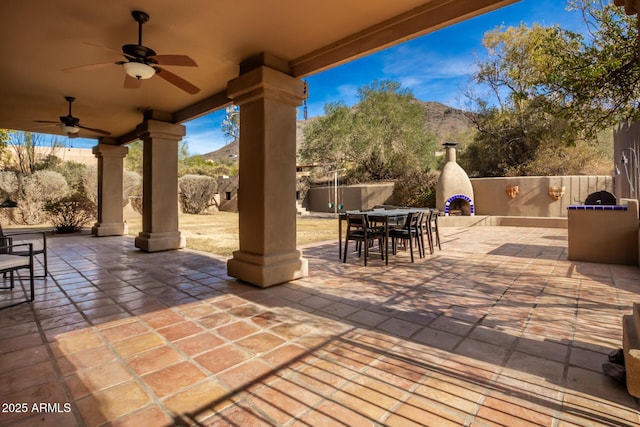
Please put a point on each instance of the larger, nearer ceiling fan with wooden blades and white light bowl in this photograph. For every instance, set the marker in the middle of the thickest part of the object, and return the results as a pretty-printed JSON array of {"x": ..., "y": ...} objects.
[{"x": 143, "y": 63}]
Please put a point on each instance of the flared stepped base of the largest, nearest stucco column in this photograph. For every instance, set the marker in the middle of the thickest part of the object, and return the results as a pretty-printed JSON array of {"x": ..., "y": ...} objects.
[{"x": 267, "y": 270}]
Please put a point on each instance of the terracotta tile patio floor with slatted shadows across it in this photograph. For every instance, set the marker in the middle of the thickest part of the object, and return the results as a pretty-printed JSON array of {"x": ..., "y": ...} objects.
[{"x": 496, "y": 329}]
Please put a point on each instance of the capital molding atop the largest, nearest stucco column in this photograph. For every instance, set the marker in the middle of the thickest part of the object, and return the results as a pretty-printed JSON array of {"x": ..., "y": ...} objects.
[{"x": 266, "y": 83}]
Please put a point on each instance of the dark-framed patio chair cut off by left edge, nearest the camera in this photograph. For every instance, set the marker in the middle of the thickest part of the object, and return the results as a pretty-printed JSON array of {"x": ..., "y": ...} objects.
[{"x": 10, "y": 264}]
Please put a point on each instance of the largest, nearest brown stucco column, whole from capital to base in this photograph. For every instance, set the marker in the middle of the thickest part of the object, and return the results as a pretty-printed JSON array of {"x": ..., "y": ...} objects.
[{"x": 267, "y": 187}]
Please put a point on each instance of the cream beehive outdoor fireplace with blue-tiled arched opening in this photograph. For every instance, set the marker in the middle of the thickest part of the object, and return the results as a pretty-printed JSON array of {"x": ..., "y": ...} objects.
[{"x": 454, "y": 193}]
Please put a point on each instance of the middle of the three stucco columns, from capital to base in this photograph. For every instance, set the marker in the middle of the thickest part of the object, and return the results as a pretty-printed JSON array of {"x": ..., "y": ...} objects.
[{"x": 160, "y": 186}]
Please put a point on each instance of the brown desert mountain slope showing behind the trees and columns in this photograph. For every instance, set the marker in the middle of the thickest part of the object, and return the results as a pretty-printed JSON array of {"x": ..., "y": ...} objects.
[{"x": 448, "y": 124}]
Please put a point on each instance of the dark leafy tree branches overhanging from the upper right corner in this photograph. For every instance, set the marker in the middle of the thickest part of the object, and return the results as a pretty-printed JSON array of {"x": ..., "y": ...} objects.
[{"x": 596, "y": 78}]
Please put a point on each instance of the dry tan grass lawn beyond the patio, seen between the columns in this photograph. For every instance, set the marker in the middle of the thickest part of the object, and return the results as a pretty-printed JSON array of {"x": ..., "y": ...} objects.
[{"x": 217, "y": 233}]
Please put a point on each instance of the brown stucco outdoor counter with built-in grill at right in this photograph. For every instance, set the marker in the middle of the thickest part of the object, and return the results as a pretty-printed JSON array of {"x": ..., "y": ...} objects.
[{"x": 605, "y": 234}]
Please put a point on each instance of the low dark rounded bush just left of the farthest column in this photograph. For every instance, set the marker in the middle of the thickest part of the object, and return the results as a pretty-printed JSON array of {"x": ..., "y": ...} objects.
[{"x": 70, "y": 213}]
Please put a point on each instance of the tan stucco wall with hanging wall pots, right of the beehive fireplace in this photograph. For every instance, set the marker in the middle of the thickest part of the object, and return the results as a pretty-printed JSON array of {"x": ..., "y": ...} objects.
[{"x": 533, "y": 197}]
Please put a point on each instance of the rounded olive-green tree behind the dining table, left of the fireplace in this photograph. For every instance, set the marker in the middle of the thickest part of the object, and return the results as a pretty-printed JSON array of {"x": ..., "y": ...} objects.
[{"x": 380, "y": 138}]
